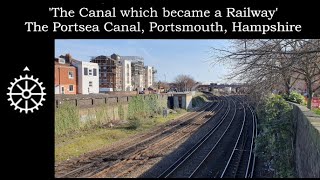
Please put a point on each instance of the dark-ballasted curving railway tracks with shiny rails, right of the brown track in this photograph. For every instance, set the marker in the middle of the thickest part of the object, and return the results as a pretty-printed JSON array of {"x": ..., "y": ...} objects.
[{"x": 205, "y": 160}]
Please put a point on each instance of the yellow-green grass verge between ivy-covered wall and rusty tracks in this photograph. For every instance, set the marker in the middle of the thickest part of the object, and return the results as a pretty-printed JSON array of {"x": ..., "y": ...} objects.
[{"x": 67, "y": 147}]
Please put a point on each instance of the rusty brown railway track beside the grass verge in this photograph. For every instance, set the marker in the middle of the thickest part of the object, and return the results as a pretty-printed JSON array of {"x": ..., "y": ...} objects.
[{"x": 105, "y": 160}]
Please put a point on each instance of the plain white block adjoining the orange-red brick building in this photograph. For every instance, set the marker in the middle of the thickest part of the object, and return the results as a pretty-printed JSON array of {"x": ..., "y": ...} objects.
[{"x": 88, "y": 77}]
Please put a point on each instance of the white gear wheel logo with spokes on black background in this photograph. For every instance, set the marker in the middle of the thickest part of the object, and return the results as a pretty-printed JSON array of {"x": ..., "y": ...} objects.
[{"x": 26, "y": 94}]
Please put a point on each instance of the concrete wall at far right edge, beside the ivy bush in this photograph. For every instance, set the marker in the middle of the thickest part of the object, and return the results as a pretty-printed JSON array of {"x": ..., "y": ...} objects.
[{"x": 307, "y": 150}]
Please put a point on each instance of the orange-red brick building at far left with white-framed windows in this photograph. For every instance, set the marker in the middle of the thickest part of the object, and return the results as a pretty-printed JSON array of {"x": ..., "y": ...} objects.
[{"x": 65, "y": 77}]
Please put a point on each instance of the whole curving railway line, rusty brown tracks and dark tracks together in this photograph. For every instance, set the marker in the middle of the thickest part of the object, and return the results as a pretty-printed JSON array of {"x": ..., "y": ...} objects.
[{"x": 225, "y": 149}]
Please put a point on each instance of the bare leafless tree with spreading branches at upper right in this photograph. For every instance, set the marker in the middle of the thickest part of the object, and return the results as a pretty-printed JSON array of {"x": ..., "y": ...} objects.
[{"x": 272, "y": 64}]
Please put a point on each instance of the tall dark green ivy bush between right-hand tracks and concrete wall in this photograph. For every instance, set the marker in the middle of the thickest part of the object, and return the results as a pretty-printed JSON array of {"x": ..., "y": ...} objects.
[{"x": 276, "y": 133}]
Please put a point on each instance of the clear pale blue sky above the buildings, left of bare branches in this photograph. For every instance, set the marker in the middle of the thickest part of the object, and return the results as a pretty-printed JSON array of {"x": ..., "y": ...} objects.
[{"x": 169, "y": 57}]
